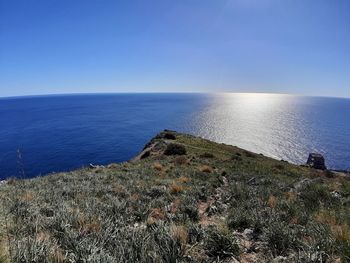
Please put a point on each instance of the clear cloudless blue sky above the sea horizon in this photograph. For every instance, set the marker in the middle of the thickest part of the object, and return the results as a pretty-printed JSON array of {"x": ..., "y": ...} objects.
[{"x": 73, "y": 46}]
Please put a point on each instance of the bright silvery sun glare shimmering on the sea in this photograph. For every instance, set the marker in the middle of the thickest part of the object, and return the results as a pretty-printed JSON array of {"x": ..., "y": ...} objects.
[{"x": 272, "y": 124}]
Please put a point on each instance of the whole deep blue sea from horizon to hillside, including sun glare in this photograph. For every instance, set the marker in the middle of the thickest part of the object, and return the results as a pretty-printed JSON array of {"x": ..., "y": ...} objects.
[{"x": 45, "y": 134}]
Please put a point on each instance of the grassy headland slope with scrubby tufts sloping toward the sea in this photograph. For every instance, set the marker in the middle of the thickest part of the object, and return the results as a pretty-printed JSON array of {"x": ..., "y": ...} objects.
[{"x": 183, "y": 199}]
